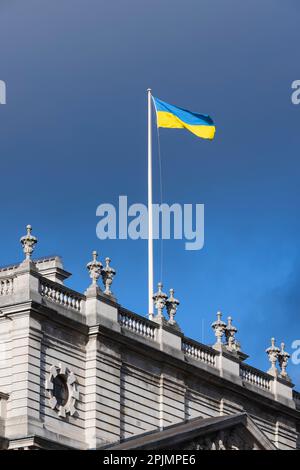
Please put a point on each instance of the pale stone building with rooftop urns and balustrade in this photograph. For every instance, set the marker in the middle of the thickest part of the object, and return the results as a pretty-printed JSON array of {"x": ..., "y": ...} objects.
[{"x": 81, "y": 371}]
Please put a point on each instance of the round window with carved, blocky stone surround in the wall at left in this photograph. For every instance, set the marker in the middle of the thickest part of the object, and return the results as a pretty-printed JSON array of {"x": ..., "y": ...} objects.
[{"x": 61, "y": 385}]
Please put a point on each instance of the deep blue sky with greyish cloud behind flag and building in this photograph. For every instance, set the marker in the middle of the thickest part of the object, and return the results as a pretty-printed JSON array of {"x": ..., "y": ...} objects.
[{"x": 74, "y": 135}]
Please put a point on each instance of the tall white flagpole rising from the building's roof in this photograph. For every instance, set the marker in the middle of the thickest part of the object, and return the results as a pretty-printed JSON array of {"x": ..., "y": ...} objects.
[{"x": 150, "y": 219}]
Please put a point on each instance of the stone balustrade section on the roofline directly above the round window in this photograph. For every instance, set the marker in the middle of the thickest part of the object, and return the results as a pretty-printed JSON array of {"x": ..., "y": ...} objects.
[{"x": 61, "y": 295}]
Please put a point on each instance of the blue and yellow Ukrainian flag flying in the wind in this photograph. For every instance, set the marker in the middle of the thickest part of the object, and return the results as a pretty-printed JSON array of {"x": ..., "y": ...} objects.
[{"x": 178, "y": 118}]
